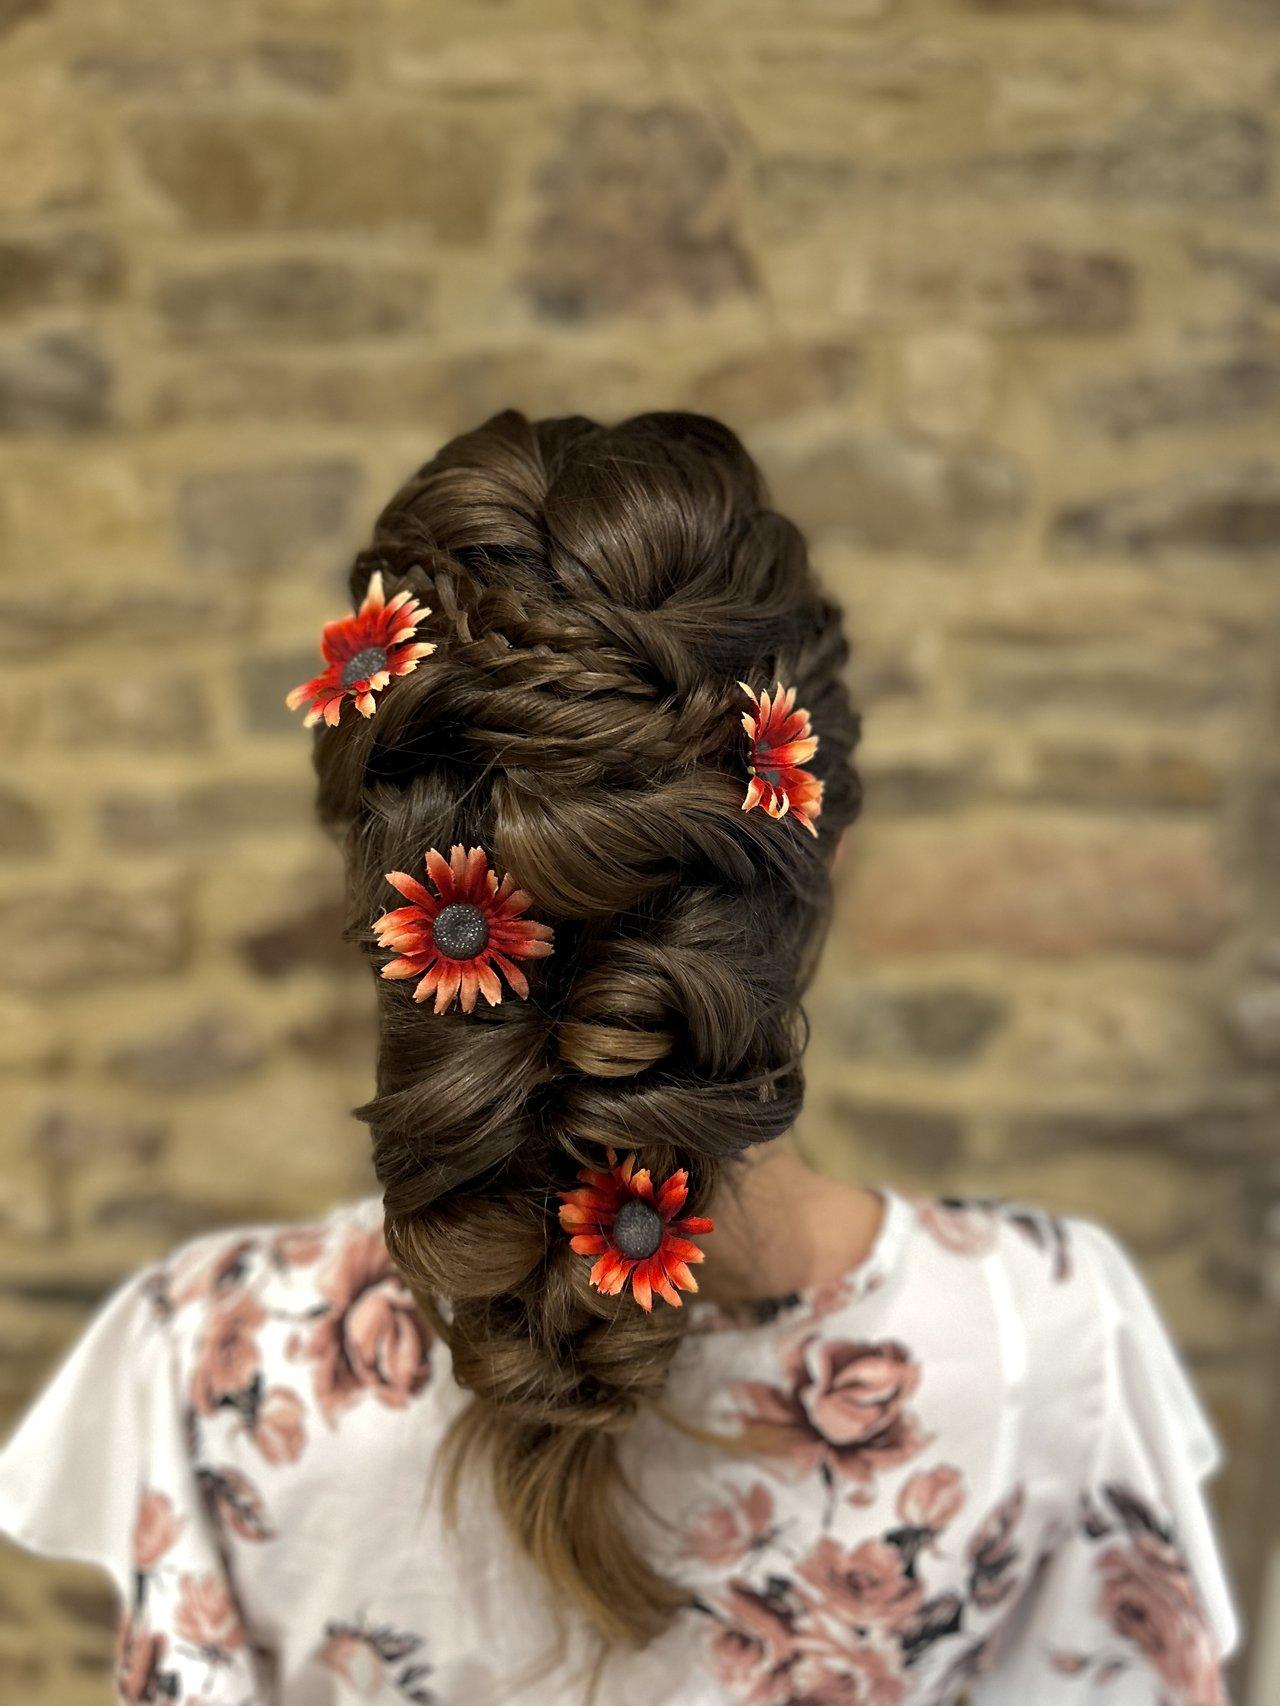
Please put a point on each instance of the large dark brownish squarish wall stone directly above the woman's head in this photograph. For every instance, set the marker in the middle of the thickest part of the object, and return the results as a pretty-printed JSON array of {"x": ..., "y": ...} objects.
[{"x": 637, "y": 211}]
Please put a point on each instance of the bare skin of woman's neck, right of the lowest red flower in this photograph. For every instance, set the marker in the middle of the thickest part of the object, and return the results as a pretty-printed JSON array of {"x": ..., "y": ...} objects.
[{"x": 783, "y": 1227}]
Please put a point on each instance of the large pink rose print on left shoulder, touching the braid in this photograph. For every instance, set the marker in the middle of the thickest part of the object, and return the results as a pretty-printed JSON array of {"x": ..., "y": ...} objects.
[{"x": 371, "y": 1338}]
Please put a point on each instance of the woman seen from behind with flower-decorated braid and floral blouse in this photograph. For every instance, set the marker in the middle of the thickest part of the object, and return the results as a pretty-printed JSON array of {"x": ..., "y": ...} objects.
[{"x": 588, "y": 751}]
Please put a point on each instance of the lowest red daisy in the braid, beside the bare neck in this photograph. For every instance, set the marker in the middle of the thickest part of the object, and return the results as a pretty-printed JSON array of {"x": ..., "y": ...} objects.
[{"x": 634, "y": 1233}]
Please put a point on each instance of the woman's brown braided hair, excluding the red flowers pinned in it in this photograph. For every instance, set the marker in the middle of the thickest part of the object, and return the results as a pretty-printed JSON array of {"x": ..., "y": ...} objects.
[{"x": 596, "y": 595}]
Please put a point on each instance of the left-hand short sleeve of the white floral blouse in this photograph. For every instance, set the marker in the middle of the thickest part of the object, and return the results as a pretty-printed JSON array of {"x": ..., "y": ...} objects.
[{"x": 100, "y": 1471}]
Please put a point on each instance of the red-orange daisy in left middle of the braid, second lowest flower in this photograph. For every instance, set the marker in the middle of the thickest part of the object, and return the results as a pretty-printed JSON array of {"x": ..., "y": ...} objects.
[{"x": 455, "y": 939}]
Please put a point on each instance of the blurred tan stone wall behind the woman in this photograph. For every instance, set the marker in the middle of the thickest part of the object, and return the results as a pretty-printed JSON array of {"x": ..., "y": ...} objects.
[{"x": 994, "y": 293}]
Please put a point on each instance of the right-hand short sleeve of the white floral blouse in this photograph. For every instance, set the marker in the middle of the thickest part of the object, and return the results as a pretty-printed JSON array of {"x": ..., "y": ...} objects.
[{"x": 1132, "y": 1604}]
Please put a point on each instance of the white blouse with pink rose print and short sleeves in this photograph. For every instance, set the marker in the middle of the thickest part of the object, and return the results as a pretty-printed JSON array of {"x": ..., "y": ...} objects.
[{"x": 969, "y": 1471}]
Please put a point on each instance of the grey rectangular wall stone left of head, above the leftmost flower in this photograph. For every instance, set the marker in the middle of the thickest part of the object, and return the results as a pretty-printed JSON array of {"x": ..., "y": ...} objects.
[{"x": 255, "y": 519}]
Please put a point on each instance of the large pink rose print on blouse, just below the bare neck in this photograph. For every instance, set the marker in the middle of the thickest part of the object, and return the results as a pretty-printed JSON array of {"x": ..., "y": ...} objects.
[{"x": 844, "y": 1412}]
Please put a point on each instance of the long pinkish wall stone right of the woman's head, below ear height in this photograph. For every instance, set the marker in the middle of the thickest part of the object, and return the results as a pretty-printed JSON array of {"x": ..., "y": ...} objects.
[{"x": 1039, "y": 891}]
